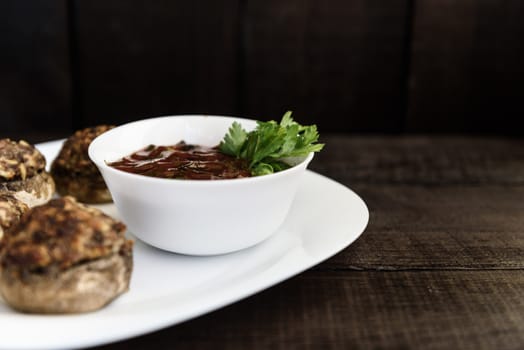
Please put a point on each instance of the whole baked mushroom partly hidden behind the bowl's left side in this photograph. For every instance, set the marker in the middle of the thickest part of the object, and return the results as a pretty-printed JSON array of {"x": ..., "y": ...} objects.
[{"x": 75, "y": 174}]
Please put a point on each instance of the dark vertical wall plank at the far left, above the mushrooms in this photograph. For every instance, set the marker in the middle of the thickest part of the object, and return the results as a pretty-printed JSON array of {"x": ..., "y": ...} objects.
[{"x": 35, "y": 89}]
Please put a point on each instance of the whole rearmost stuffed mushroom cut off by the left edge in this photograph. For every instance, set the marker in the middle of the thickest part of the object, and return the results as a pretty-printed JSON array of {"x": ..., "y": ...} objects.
[{"x": 22, "y": 173}]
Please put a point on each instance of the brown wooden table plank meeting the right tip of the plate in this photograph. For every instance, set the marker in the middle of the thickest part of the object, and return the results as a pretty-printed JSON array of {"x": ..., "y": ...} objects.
[{"x": 439, "y": 229}]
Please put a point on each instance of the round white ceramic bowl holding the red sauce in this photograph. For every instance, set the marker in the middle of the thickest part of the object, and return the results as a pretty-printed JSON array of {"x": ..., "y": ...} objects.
[{"x": 196, "y": 217}]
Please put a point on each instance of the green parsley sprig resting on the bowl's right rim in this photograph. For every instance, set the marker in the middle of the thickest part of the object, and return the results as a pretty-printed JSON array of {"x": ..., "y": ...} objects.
[{"x": 266, "y": 147}]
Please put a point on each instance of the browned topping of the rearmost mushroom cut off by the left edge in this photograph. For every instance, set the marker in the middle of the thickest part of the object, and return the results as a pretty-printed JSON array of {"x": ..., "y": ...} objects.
[{"x": 19, "y": 160}]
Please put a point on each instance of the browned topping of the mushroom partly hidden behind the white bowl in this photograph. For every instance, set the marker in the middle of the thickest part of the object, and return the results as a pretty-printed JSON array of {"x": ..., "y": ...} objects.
[{"x": 73, "y": 157}]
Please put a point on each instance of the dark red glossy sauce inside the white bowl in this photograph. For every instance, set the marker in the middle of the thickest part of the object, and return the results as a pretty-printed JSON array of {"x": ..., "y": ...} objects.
[{"x": 183, "y": 161}]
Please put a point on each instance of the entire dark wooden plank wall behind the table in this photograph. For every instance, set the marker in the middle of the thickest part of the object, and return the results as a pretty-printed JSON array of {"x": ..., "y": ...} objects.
[{"x": 359, "y": 66}]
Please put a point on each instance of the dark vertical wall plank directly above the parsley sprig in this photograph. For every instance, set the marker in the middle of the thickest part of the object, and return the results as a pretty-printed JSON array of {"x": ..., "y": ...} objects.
[{"x": 337, "y": 64}]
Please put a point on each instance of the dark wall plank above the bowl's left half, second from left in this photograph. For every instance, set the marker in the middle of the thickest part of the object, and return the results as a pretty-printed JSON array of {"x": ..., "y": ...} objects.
[{"x": 147, "y": 59}]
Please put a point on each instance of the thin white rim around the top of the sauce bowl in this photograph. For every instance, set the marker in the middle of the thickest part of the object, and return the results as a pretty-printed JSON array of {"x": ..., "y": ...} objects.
[{"x": 101, "y": 163}]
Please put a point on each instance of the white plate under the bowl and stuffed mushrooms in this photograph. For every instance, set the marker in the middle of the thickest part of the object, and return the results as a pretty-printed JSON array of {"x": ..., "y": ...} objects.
[{"x": 168, "y": 288}]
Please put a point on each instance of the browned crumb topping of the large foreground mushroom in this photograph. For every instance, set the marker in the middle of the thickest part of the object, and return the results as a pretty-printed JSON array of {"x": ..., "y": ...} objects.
[{"x": 62, "y": 233}]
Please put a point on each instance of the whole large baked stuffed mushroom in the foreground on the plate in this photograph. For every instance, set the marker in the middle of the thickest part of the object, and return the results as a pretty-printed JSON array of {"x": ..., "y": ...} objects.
[{"x": 64, "y": 257}]
